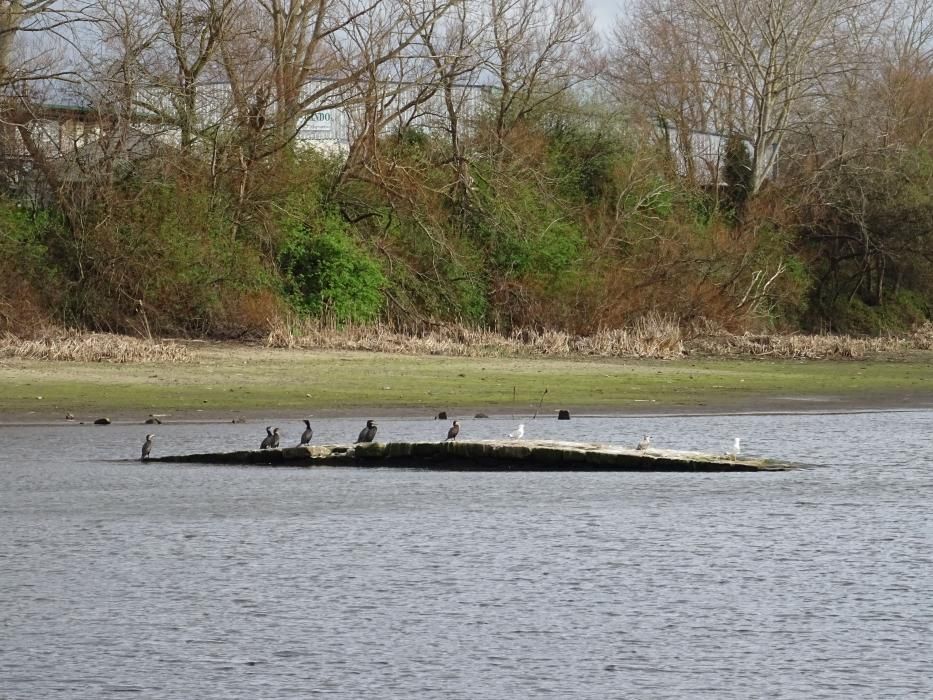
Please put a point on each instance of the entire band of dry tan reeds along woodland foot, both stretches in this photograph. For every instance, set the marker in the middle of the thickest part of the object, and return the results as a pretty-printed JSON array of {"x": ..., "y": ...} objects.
[{"x": 655, "y": 337}]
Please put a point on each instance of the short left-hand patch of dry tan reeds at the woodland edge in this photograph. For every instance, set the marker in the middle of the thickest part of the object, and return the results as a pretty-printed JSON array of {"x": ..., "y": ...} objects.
[{"x": 77, "y": 346}]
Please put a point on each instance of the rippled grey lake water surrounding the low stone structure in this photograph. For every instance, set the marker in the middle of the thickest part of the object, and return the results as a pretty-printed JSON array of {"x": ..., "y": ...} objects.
[{"x": 194, "y": 582}]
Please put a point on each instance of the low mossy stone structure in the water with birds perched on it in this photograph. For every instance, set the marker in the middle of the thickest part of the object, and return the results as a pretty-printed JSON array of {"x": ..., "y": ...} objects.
[{"x": 485, "y": 455}]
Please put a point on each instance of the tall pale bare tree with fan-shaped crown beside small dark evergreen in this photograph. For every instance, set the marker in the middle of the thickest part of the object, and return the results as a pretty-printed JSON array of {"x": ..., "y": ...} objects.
[{"x": 751, "y": 68}]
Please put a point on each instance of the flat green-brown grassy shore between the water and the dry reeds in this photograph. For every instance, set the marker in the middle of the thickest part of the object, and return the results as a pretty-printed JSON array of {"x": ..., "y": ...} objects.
[{"x": 227, "y": 380}]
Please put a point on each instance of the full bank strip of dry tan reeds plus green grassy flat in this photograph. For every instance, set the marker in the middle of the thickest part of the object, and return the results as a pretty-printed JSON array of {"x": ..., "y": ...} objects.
[{"x": 315, "y": 370}]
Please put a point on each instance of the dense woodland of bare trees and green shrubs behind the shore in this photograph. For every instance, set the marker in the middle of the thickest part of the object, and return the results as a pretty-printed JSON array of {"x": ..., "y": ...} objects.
[{"x": 569, "y": 195}]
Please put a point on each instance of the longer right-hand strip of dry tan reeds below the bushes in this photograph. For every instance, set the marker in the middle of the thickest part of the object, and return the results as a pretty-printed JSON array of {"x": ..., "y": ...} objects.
[{"x": 652, "y": 336}]
